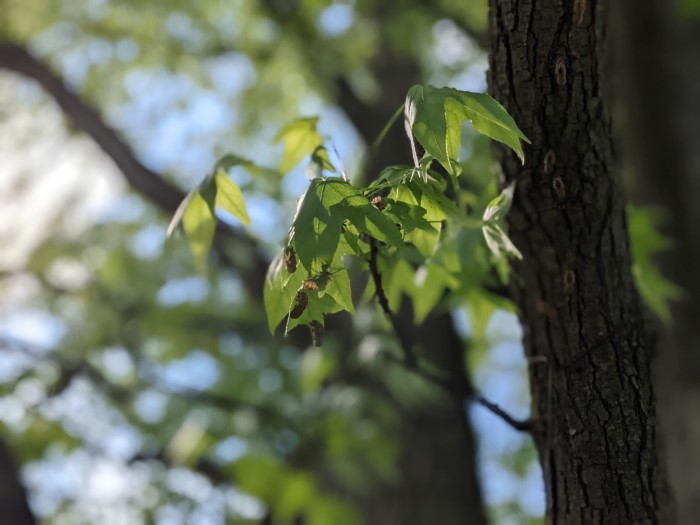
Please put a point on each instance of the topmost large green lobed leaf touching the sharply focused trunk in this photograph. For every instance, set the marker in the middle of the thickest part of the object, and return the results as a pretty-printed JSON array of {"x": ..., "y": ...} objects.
[{"x": 435, "y": 116}]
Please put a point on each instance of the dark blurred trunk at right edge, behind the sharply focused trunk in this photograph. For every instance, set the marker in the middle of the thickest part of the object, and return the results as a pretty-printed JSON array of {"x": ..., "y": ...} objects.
[{"x": 660, "y": 83}]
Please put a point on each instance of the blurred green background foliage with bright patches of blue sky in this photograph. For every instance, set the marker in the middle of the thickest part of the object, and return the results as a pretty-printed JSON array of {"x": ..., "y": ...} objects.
[{"x": 135, "y": 390}]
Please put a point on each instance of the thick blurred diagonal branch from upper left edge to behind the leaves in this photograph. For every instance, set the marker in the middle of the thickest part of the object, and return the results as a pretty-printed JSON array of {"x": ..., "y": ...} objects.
[{"x": 148, "y": 183}]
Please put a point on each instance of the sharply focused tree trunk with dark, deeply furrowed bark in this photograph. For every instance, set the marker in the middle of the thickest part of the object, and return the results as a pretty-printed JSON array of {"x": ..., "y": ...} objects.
[{"x": 584, "y": 325}]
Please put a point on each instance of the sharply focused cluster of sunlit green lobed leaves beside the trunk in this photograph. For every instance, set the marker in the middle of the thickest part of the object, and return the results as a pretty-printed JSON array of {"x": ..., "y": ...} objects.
[{"x": 417, "y": 223}]
